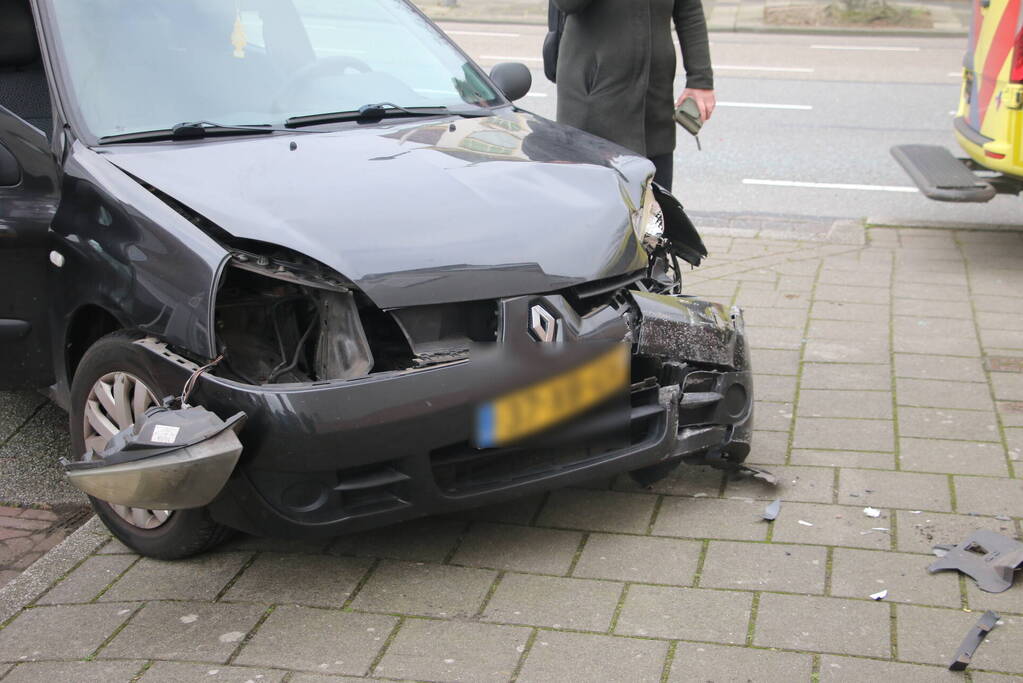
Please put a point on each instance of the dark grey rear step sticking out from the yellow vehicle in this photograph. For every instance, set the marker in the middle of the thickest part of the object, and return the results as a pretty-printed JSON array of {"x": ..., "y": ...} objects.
[{"x": 941, "y": 176}]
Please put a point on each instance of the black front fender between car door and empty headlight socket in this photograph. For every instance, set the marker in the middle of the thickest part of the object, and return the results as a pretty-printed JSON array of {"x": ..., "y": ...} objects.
[{"x": 132, "y": 255}]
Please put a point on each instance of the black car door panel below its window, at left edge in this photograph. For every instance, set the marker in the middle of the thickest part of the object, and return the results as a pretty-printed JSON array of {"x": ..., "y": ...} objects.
[{"x": 28, "y": 203}]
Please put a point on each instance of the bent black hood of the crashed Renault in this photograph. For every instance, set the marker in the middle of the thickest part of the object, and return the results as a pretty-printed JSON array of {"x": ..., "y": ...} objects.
[{"x": 420, "y": 212}]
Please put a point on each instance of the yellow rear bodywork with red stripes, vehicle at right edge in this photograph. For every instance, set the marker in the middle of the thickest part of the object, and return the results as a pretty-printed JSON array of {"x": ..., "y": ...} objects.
[{"x": 991, "y": 111}]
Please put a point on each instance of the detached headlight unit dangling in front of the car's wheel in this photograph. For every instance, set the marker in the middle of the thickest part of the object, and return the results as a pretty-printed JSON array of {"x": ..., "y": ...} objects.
[{"x": 171, "y": 461}]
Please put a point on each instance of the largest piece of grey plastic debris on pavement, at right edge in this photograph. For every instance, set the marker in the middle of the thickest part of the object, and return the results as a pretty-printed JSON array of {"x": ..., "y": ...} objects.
[{"x": 988, "y": 558}]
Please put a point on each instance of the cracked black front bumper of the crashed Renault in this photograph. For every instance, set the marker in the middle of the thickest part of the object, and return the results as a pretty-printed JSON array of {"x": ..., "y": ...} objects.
[{"x": 335, "y": 458}]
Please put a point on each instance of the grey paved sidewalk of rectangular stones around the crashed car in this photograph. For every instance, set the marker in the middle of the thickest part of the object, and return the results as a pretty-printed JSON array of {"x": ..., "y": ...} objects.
[{"x": 889, "y": 376}]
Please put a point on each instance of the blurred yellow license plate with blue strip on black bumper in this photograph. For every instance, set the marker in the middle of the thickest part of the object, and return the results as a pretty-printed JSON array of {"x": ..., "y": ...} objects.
[{"x": 536, "y": 408}]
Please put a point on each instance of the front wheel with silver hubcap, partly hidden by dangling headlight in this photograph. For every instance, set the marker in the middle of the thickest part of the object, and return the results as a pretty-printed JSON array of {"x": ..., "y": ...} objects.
[{"x": 112, "y": 390}]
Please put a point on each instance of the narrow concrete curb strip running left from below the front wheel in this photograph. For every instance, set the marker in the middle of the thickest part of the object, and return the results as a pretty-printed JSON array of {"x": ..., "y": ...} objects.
[{"x": 45, "y": 572}]
